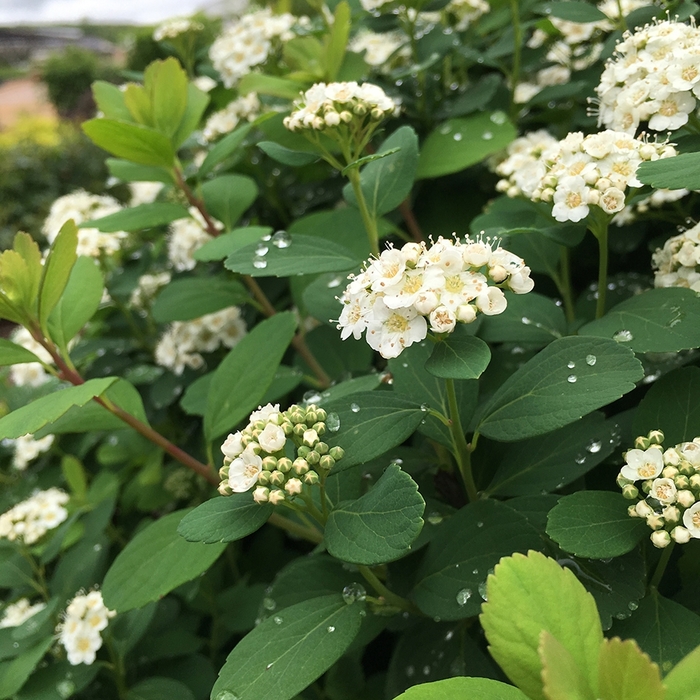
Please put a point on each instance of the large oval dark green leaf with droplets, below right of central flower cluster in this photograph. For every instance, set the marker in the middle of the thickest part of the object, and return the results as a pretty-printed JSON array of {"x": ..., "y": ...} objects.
[{"x": 568, "y": 379}]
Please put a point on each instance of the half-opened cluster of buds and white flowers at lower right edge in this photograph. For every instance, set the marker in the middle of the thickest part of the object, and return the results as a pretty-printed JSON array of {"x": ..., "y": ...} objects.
[{"x": 668, "y": 497}]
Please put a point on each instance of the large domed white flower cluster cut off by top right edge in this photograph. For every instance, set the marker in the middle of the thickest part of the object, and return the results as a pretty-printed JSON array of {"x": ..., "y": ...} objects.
[{"x": 654, "y": 77}]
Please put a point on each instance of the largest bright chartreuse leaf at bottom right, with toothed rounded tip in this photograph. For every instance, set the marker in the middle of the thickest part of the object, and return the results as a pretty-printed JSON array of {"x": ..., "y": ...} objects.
[{"x": 548, "y": 598}]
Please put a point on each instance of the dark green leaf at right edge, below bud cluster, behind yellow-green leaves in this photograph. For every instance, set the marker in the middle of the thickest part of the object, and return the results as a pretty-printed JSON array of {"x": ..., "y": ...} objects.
[{"x": 664, "y": 629}]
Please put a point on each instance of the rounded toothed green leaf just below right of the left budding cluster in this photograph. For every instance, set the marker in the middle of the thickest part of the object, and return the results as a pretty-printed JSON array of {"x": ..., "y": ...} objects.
[{"x": 380, "y": 526}]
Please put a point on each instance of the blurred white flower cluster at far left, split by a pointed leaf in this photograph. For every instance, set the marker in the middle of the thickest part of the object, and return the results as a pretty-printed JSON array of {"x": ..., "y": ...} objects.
[{"x": 82, "y": 206}]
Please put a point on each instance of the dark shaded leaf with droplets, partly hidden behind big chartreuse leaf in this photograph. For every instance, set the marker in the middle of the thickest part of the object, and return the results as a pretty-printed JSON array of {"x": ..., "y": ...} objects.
[{"x": 453, "y": 569}]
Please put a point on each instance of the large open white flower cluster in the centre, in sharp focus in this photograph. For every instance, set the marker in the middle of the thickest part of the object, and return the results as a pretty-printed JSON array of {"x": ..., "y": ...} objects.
[{"x": 448, "y": 282}]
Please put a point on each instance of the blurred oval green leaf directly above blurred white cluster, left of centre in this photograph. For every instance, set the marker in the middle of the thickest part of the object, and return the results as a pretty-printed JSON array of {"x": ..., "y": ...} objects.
[{"x": 185, "y": 299}]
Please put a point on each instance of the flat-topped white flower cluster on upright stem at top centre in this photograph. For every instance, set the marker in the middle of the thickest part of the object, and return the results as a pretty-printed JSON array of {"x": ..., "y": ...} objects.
[{"x": 323, "y": 106}]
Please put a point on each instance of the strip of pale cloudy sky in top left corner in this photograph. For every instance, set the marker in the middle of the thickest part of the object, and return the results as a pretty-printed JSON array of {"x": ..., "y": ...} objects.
[{"x": 130, "y": 11}]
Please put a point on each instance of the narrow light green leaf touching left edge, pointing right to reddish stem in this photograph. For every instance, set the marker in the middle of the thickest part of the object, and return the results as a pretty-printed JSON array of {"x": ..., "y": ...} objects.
[{"x": 47, "y": 409}]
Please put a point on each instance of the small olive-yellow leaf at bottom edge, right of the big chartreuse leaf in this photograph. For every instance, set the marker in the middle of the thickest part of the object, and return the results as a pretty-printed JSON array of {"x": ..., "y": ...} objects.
[{"x": 627, "y": 673}]
